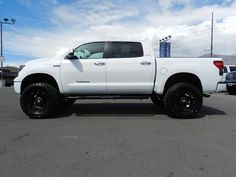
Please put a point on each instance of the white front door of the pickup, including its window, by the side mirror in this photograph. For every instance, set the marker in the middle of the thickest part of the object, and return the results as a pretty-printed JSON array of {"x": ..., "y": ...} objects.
[{"x": 87, "y": 74}]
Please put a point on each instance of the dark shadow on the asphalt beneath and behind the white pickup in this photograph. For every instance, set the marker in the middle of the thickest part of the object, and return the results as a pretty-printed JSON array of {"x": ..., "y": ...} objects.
[{"x": 124, "y": 109}]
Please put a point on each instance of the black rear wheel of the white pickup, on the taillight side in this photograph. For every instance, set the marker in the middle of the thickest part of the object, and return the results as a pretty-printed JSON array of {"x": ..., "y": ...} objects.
[{"x": 183, "y": 100}]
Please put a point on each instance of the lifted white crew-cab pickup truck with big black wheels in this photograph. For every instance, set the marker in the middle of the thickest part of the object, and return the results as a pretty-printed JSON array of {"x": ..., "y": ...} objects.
[{"x": 117, "y": 69}]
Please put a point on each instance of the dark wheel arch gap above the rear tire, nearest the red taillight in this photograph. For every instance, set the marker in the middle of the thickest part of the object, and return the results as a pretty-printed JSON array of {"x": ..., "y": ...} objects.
[{"x": 183, "y": 77}]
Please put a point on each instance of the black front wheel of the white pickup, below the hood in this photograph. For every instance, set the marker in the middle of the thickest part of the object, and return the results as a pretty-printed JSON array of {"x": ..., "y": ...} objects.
[{"x": 38, "y": 100}]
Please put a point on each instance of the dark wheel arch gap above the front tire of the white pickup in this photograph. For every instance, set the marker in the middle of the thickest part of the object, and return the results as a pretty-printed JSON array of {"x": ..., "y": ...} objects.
[{"x": 39, "y": 77}]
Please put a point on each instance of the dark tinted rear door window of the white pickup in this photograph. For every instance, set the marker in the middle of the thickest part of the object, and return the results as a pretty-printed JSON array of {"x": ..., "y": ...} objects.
[{"x": 126, "y": 50}]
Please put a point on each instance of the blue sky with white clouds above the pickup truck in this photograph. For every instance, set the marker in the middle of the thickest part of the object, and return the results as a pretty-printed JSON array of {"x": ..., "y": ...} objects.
[{"x": 48, "y": 28}]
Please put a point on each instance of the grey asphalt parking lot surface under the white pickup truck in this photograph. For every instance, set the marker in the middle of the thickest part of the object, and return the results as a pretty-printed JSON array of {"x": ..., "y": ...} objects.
[{"x": 118, "y": 138}]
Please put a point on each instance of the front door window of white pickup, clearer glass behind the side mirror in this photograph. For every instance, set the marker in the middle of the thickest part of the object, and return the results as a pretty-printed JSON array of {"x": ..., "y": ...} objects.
[{"x": 90, "y": 51}]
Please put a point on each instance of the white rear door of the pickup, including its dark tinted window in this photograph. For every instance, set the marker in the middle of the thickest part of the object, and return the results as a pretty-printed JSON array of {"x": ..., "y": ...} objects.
[{"x": 129, "y": 69}]
